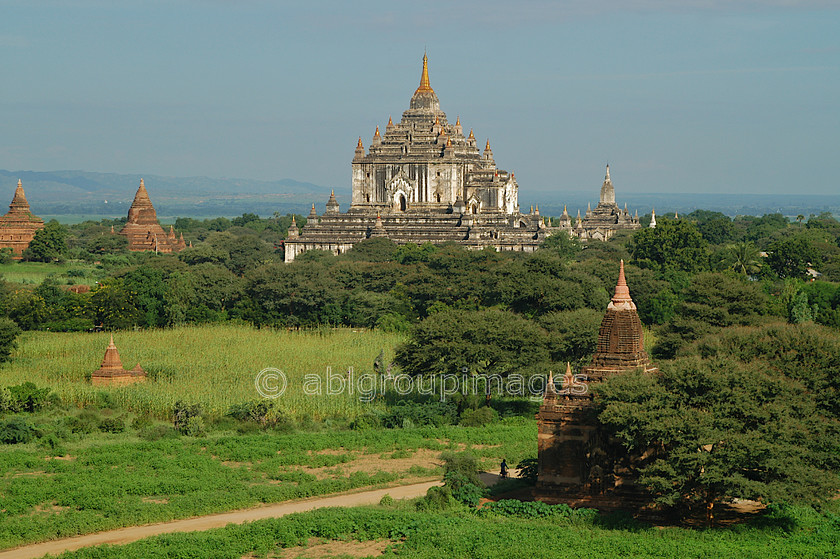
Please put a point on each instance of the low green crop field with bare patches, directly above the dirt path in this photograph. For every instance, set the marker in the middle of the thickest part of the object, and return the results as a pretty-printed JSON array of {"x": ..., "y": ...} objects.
[{"x": 105, "y": 481}]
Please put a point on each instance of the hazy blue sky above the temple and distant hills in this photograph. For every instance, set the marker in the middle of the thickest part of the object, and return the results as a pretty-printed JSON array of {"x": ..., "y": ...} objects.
[{"x": 692, "y": 96}]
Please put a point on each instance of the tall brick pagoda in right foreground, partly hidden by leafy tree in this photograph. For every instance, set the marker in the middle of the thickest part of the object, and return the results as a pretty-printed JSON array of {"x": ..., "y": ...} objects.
[{"x": 577, "y": 461}]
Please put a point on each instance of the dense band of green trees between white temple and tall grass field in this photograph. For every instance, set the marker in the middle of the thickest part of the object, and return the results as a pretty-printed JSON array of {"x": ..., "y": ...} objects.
[{"x": 688, "y": 276}]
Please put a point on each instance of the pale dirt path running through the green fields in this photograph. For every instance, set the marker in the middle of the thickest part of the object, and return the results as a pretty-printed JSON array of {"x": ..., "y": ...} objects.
[{"x": 133, "y": 533}]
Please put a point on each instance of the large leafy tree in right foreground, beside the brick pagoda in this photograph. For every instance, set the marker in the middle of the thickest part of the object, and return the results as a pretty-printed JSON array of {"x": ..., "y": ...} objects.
[{"x": 722, "y": 429}]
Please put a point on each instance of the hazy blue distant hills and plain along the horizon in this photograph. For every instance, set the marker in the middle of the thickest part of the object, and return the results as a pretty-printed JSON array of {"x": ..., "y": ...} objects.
[{"x": 74, "y": 193}]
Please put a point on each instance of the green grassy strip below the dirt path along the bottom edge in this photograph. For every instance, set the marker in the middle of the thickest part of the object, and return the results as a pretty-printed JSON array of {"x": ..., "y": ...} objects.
[{"x": 400, "y": 531}]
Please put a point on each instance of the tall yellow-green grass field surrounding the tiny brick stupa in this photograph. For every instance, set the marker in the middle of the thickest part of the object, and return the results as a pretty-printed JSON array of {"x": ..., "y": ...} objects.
[{"x": 215, "y": 366}]
